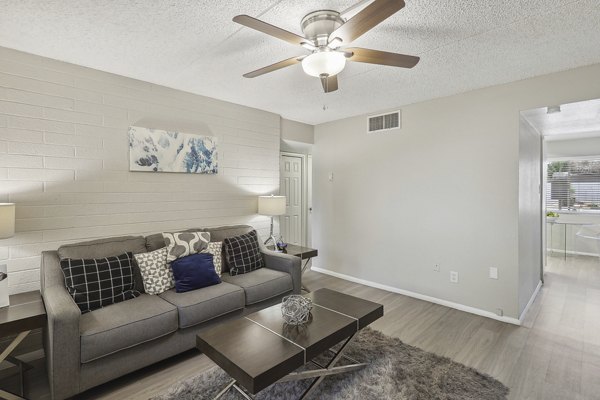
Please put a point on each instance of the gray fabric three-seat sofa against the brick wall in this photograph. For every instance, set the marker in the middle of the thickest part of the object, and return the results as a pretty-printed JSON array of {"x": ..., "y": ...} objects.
[{"x": 86, "y": 350}]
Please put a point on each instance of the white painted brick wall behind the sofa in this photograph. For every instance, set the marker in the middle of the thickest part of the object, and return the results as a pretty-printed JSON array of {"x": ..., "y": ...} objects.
[{"x": 64, "y": 159}]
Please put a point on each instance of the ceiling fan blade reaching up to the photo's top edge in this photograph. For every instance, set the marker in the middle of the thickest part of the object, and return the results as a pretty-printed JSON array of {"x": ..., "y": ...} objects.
[{"x": 366, "y": 19}]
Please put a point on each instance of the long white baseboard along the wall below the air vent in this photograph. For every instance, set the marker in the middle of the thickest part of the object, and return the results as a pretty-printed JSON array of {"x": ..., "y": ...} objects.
[{"x": 419, "y": 296}]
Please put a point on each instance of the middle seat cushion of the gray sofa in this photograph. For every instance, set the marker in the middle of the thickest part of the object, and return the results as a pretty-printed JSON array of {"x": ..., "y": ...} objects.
[{"x": 204, "y": 304}]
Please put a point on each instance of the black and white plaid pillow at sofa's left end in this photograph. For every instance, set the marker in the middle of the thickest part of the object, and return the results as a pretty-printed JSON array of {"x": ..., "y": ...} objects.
[{"x": 99, "y": 282}]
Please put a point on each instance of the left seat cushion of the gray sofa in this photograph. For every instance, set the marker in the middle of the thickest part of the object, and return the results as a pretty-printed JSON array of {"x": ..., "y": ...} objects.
[{"x": 124, "y": 325}]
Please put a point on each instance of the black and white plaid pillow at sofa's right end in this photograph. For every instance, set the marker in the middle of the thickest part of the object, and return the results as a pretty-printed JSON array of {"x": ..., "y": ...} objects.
[{"x": 243, "y": 253}]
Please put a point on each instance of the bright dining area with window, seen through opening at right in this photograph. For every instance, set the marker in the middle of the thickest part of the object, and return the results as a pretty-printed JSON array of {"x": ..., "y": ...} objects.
[{"x": 570, "y": 177}]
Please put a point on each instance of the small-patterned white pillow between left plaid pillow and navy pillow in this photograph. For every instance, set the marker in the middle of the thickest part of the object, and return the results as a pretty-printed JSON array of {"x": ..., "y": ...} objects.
[{"x": 156, "y": 273}]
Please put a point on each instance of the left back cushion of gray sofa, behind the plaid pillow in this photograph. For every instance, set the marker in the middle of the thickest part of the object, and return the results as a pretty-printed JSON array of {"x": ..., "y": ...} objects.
[{"x": 108, "y": 247}]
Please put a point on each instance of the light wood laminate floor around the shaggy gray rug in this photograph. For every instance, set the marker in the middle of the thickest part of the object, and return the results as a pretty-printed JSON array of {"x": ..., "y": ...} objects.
[{"x": 555, "y": 354}]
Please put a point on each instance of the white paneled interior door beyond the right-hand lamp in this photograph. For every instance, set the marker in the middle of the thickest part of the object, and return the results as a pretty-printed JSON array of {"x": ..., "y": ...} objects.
[{"x": 291, "y": 188}]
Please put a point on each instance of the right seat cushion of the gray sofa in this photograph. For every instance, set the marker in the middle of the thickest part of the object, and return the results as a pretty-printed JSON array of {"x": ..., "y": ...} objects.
[{"x": 261, "y": 284}]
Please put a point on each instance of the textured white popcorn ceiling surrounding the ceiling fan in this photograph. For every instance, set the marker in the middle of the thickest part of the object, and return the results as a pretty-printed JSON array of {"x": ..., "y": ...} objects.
[{"x": 194, "y": 46}]
